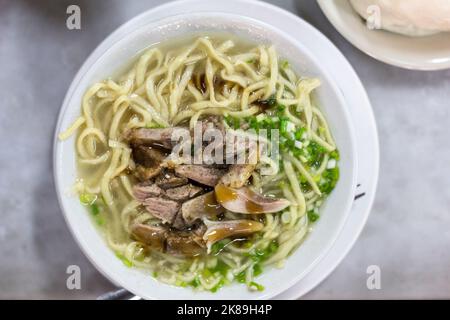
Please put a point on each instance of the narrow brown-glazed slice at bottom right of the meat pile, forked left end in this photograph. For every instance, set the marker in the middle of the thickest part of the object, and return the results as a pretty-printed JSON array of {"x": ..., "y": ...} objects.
[{"x": 217, "y": 231}]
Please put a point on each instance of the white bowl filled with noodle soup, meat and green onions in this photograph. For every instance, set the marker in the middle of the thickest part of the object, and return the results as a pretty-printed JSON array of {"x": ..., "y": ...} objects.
[{"x": 177, "y": 72}]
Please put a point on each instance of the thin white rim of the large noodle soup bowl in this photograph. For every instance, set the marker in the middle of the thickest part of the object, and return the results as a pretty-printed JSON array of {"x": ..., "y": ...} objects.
[{"x": 90, "y": 62}]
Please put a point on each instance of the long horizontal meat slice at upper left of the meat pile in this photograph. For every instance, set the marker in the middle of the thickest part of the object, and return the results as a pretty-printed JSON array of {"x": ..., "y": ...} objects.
[{"x": 157, "y": 137}]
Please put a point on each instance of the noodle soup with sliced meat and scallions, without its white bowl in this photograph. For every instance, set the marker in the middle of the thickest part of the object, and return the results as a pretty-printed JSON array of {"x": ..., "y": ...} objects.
[{"x": 204, "y": 225}]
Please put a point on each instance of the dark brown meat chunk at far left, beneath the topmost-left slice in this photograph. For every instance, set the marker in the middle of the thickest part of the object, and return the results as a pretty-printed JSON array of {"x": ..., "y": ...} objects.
[{"x": 148, "y": 162}]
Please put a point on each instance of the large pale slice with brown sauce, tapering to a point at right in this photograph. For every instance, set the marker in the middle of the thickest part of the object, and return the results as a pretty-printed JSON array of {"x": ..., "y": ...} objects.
[{"x": 245, "y": 200}]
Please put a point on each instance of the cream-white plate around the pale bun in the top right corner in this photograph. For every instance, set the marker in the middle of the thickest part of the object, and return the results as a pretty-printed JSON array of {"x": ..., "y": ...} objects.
[{"x": 419, "y": 53}]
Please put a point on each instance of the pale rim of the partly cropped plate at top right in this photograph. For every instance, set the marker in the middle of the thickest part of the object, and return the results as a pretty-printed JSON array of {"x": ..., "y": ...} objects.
[{"x": 328, "y": 7}]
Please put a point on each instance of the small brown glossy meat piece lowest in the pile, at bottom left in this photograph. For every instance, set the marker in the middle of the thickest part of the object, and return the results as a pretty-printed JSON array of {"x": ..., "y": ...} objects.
[{"x": 185, "y": 244}]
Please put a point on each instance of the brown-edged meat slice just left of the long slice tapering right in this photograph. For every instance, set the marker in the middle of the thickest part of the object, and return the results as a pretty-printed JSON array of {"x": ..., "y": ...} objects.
[{"x": 201, "y": 206}]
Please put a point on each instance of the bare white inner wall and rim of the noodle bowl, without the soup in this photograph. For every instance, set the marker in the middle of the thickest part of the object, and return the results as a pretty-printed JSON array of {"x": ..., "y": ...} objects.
[{"x": 114, "y": 55}]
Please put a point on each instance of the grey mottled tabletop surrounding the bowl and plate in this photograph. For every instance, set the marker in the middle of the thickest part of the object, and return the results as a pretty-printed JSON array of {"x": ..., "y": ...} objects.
[{"x": 407, "y": 234}]
